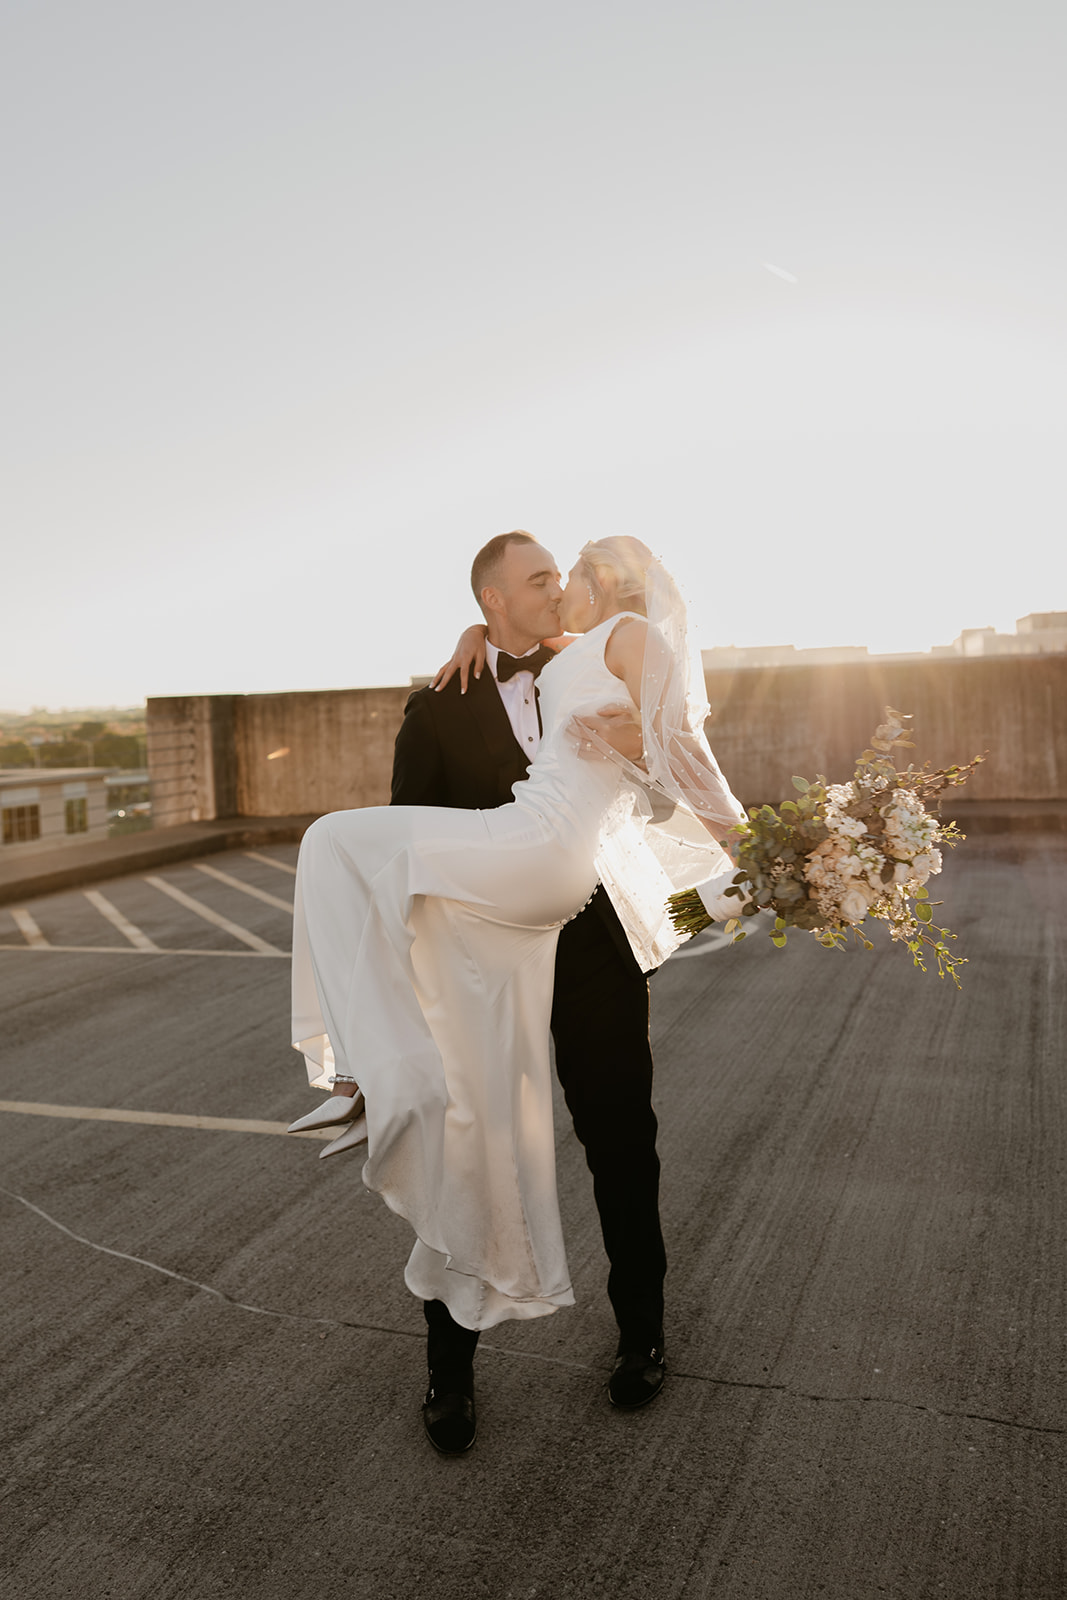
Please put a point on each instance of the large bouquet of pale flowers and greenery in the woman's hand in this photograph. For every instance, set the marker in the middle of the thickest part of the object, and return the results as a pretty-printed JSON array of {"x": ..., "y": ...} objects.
[{"x": 841, "y": 854}]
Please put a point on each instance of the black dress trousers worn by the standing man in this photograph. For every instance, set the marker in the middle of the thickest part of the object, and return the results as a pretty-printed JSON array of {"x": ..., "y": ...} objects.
[{"x": 605, "y": 1066}]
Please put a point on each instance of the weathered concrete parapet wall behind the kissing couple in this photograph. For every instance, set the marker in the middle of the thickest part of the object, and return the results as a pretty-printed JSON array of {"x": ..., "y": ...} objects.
[{"x": 332, "y": 750}]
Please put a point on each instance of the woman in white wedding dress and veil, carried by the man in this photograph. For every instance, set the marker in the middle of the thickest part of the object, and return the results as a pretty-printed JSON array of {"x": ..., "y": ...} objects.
[{"x": 425, "y": 943}]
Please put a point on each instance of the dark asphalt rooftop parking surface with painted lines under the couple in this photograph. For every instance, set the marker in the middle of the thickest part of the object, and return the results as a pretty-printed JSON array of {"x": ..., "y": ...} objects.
[{"x": 212, "y": 1370}]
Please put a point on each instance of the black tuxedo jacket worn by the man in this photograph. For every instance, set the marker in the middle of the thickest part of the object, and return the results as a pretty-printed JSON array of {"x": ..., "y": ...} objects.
[{"x": 460, "y": 751}]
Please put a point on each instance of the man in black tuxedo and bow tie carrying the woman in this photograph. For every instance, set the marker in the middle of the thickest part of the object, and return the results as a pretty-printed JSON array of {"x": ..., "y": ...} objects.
[{"x": 468, "y": 750}]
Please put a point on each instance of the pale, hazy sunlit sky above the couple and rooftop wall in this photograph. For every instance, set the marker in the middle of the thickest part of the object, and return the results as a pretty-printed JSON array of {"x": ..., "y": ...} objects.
[{"x": 306, "y": 302}]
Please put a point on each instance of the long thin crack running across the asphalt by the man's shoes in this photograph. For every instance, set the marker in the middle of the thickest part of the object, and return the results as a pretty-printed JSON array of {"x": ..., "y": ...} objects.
[{"x": 530, "y": 1356}]
